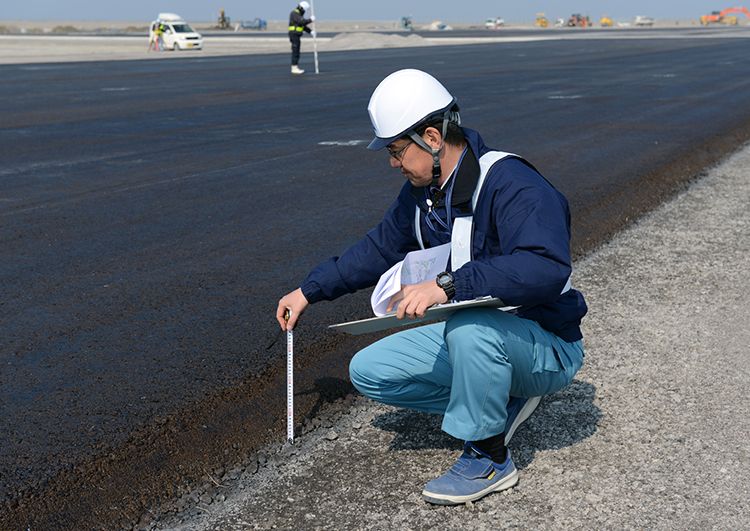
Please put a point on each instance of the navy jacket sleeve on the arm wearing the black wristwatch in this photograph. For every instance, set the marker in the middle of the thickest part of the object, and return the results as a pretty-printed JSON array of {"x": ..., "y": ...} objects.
[{"x": 524, "y": 249}]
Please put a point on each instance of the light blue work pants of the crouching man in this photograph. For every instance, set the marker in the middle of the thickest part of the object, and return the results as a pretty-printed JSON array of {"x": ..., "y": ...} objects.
[{"x": 466, "y": 368}]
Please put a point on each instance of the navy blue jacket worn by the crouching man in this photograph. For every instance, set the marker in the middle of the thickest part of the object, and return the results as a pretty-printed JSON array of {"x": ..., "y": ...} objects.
[{"x": 521, "y": 243}]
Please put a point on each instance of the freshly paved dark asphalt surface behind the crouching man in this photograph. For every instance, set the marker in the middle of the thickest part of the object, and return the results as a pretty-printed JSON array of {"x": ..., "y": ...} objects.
[{"x": 151, "y": 214}]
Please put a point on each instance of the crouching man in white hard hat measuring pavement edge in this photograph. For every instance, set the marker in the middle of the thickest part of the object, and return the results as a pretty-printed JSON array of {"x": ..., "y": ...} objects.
[{"x": 508, "y": 228}]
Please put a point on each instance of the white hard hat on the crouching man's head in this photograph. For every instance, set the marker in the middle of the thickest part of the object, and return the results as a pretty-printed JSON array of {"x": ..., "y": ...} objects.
[{"x": 402, "y": 101}]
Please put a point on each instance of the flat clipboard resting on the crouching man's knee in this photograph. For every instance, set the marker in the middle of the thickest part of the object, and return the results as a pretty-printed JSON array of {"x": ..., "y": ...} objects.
[{"x": 439, "y": 312}]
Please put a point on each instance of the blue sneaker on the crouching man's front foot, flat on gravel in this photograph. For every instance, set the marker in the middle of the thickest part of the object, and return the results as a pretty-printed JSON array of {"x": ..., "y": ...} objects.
[{"x": 473, "y": 476}]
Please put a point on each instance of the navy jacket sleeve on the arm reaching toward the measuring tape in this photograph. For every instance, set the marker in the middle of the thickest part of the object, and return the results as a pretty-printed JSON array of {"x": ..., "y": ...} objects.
[{"x": 361, "y": 265}]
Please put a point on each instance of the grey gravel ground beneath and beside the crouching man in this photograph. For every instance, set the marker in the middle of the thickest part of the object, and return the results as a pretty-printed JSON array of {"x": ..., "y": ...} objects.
[{"x": 651, "y": 434}]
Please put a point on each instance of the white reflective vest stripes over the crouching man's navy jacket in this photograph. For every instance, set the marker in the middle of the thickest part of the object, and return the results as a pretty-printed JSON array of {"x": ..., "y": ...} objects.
[{"x": 463, "y": 227}]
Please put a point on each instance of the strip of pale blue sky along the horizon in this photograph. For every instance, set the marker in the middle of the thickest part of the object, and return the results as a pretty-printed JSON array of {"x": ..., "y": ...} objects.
[{"x": 456, "y": 11}]
